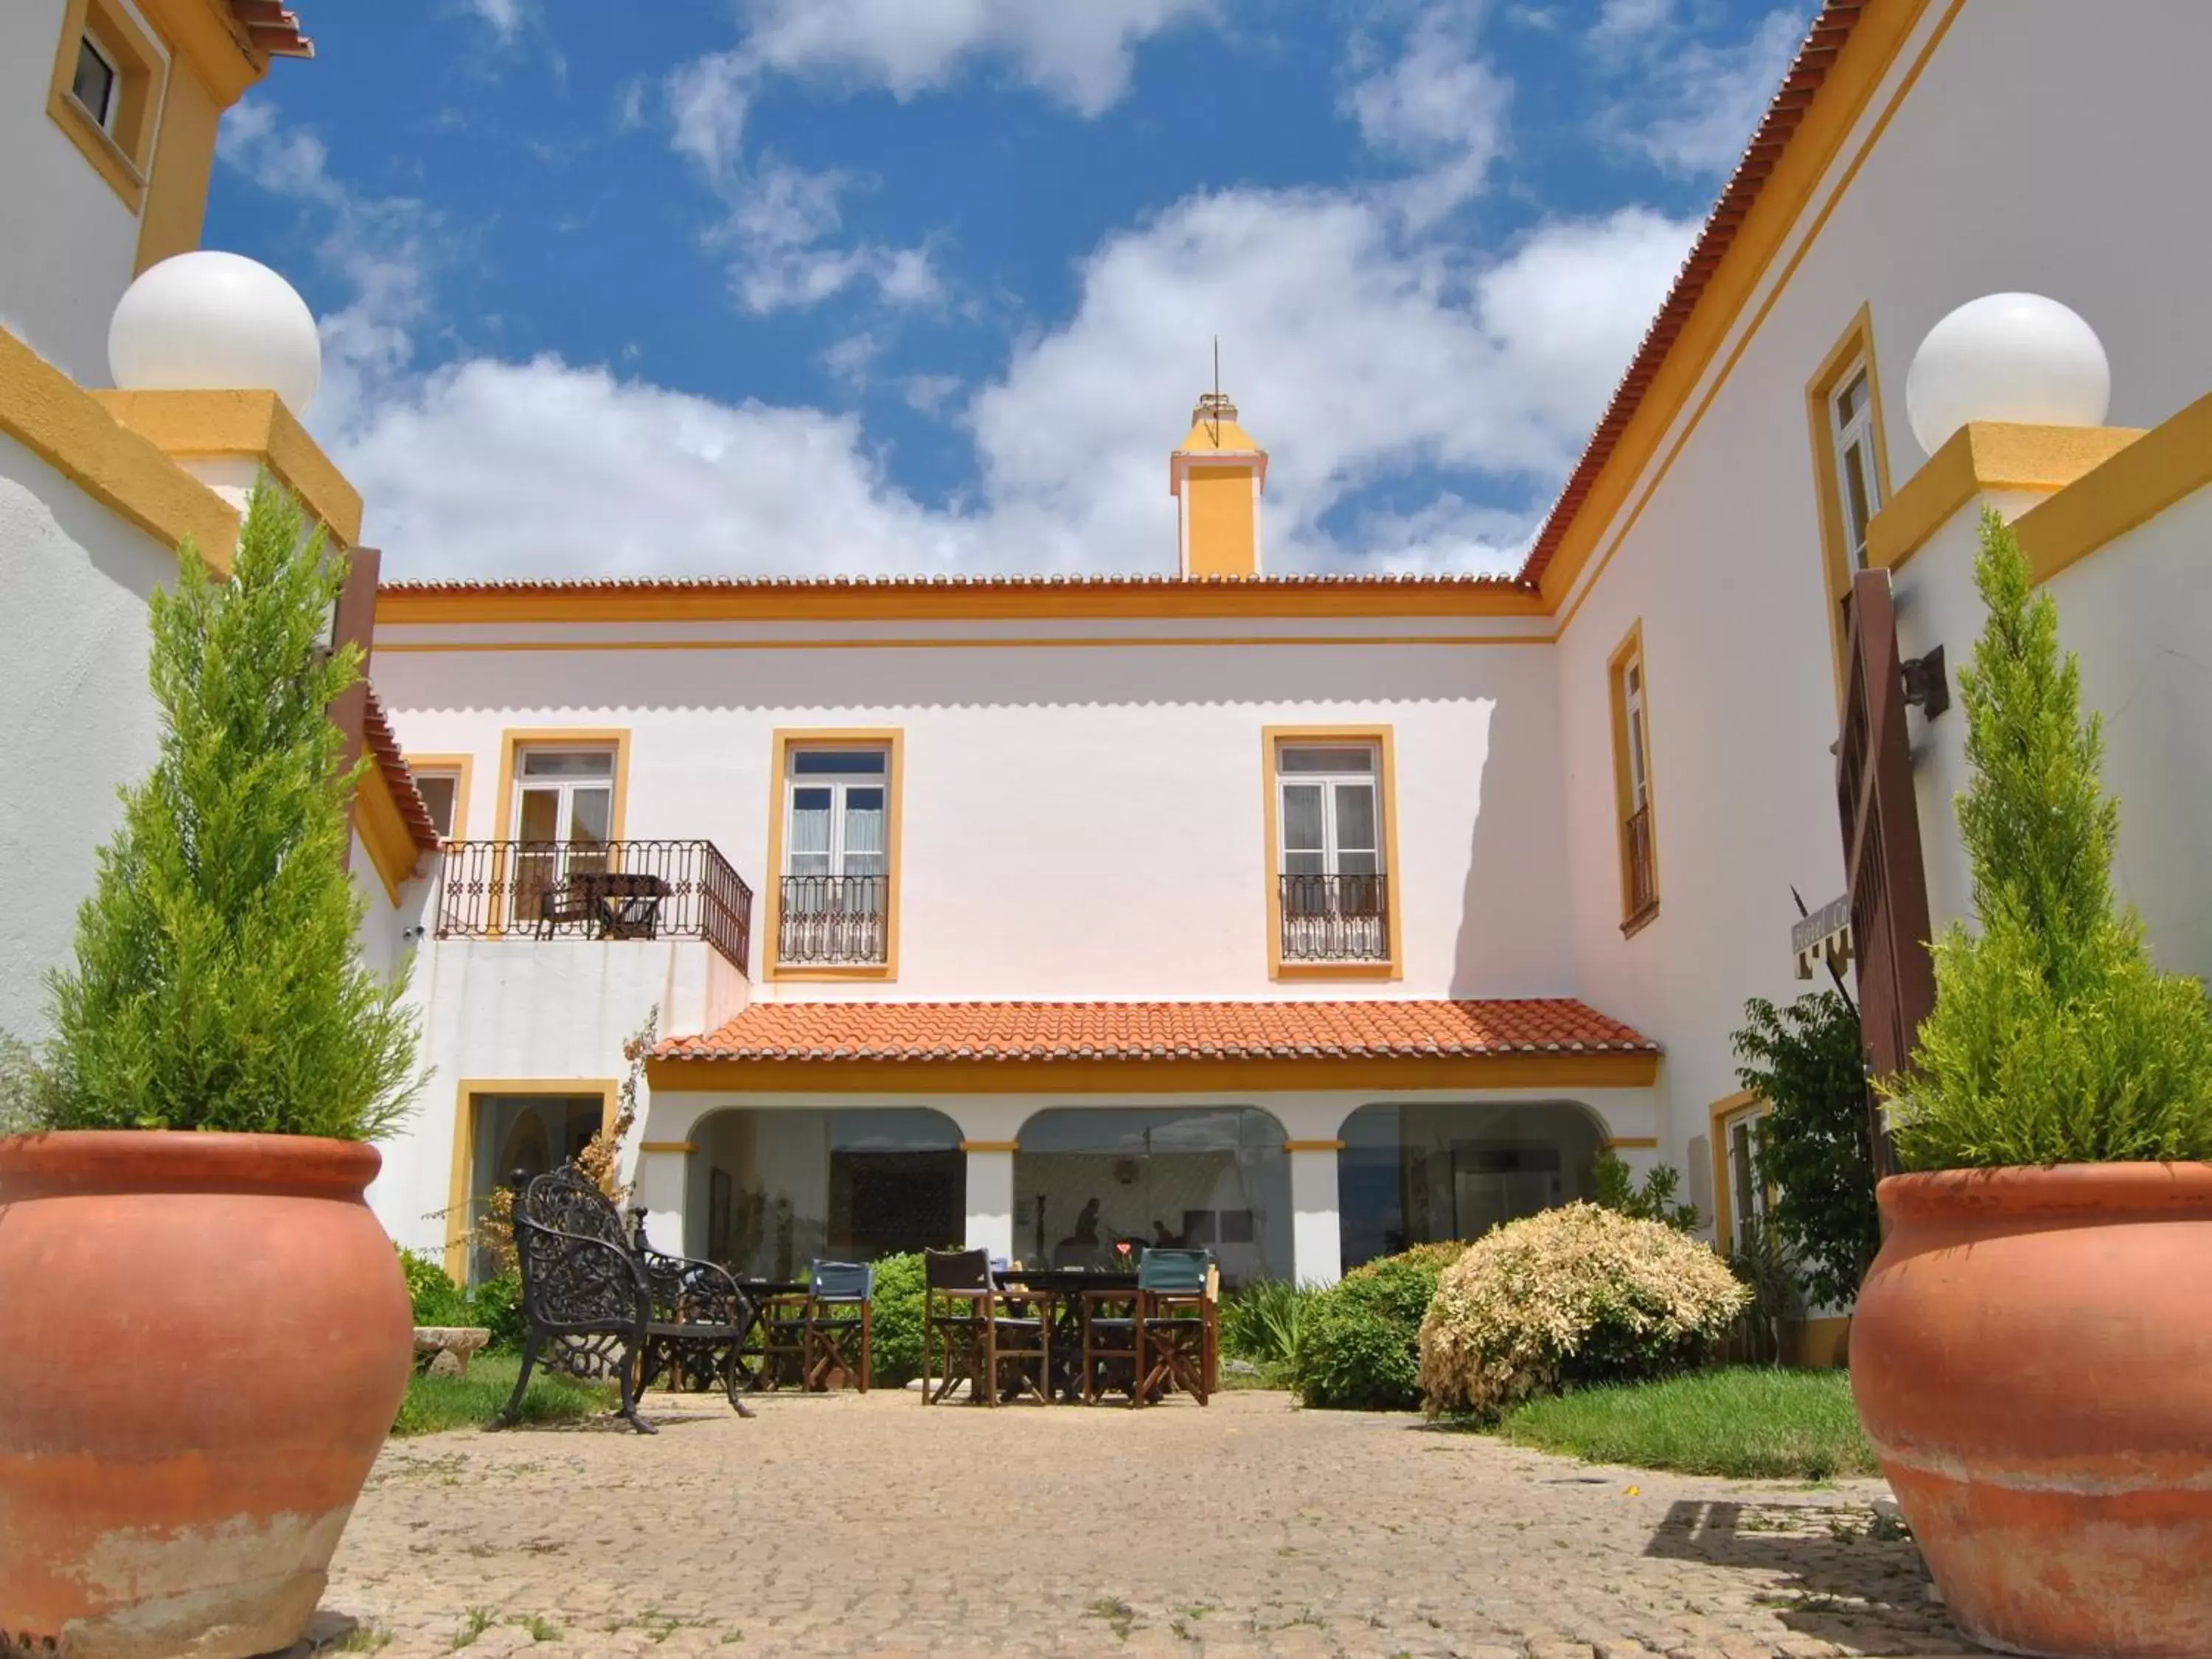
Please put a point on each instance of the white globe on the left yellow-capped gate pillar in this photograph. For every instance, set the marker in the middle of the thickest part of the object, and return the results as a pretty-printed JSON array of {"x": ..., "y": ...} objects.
[{"x": 211, "y": 322}]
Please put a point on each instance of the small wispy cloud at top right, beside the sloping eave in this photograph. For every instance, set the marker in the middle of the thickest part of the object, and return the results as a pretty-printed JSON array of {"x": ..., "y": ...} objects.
[{"x": 1689, "y": 105}]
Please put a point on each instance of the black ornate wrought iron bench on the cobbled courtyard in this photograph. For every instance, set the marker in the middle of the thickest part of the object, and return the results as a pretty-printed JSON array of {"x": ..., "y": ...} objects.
[{"x": 603, "y": 1304}]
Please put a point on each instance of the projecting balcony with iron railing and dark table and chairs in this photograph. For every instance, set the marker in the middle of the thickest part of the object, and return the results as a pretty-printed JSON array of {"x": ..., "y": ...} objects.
[{"x": 620, "y": 890}]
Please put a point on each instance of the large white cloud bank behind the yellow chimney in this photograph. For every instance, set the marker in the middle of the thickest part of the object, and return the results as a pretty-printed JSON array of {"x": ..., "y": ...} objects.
[{"x": 1353, "y": 357}]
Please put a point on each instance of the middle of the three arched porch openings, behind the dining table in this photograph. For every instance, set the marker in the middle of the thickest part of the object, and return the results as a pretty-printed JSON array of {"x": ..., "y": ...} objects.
[{"x": 1191, "y": 1178}]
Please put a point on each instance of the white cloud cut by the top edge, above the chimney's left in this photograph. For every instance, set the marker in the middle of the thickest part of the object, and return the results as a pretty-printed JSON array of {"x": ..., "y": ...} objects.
[{"x": 1078, "y": 52}]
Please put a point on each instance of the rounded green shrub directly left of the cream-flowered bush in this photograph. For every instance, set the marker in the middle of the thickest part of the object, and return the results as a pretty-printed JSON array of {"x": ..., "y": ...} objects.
[{"x": 1359, "y": 1337}]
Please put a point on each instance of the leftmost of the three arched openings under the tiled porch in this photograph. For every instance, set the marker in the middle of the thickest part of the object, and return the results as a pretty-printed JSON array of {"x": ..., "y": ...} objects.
[{"x": 771, "y": 1191}]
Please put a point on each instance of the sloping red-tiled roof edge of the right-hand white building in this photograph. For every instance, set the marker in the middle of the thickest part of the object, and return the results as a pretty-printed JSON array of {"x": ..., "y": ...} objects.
[{"x": 1782, "y": 121}]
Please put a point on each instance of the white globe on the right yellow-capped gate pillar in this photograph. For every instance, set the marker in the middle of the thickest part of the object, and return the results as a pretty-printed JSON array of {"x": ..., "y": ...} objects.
[{"x": 2007, "y": 357}]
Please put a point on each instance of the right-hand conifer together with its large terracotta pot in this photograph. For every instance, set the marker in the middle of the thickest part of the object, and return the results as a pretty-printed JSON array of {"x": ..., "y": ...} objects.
[{"x": 2034, "y": 1344}]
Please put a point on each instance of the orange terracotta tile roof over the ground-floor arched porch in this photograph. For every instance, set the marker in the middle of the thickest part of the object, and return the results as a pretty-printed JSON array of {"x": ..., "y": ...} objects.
[{"x": 1052, "y": 1032}]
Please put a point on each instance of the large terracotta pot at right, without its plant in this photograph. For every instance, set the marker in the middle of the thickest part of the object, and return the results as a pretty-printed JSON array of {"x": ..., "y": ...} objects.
[{"x": 2034, "y": 1364}]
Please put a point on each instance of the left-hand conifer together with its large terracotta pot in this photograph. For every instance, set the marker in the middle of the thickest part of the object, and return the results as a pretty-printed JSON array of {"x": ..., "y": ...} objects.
[{"x": 205, "y": 1333}]
